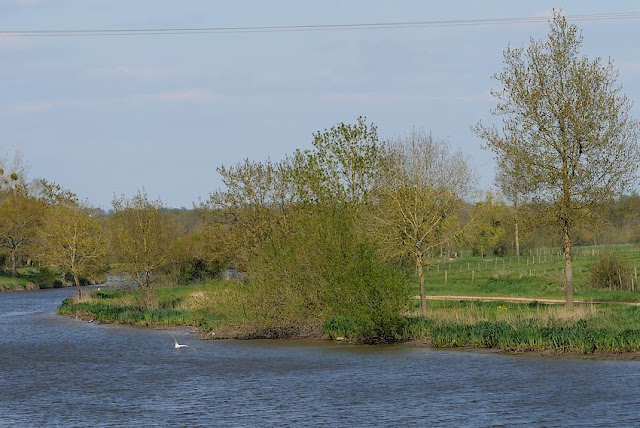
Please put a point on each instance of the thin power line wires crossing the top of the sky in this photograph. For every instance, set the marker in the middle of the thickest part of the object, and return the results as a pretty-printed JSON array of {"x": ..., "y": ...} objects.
[{"x": 306, "y": 28}]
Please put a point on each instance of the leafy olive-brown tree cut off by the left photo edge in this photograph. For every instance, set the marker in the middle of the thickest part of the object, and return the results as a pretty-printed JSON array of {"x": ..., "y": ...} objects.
[{"x": 20, "y": 218}]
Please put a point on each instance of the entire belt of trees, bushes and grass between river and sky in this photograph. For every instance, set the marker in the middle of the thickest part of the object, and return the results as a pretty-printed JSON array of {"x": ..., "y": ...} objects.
[{"x": 338, "y": 239}]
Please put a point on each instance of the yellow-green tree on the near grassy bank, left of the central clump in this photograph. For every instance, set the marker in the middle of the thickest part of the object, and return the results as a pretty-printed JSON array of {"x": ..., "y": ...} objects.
[{"x": 142, "y": 237}]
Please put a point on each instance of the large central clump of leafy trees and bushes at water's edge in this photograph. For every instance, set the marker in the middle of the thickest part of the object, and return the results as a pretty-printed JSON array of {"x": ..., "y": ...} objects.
[{"x": 293, "y": 225}]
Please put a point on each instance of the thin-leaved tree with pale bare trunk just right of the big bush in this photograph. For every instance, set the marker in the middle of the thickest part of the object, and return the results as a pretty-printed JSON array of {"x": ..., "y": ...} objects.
[{"x": 418, "y": 195}]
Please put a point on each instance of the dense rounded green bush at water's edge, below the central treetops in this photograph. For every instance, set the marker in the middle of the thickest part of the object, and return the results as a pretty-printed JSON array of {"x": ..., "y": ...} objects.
[{"x": 322, "y": 270}]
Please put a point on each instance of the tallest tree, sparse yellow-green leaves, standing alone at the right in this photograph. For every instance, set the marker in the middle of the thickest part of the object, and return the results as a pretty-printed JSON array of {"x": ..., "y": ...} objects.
[{"x": 566, "y": 122}]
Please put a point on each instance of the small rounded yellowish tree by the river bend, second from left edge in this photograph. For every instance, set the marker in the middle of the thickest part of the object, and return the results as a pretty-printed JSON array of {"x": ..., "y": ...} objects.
[{"x": 74, "y": 240}]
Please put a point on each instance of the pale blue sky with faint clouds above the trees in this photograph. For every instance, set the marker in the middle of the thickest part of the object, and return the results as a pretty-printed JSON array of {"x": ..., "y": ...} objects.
[{"x": 107, "y": 116}]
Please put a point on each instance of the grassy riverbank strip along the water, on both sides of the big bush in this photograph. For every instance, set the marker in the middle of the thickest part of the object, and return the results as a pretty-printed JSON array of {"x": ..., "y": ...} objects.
[{"x": 603, "y": 329}]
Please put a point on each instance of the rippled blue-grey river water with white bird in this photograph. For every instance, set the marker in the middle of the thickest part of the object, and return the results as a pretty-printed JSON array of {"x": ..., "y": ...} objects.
[{"x": 56, "y": 371}]
